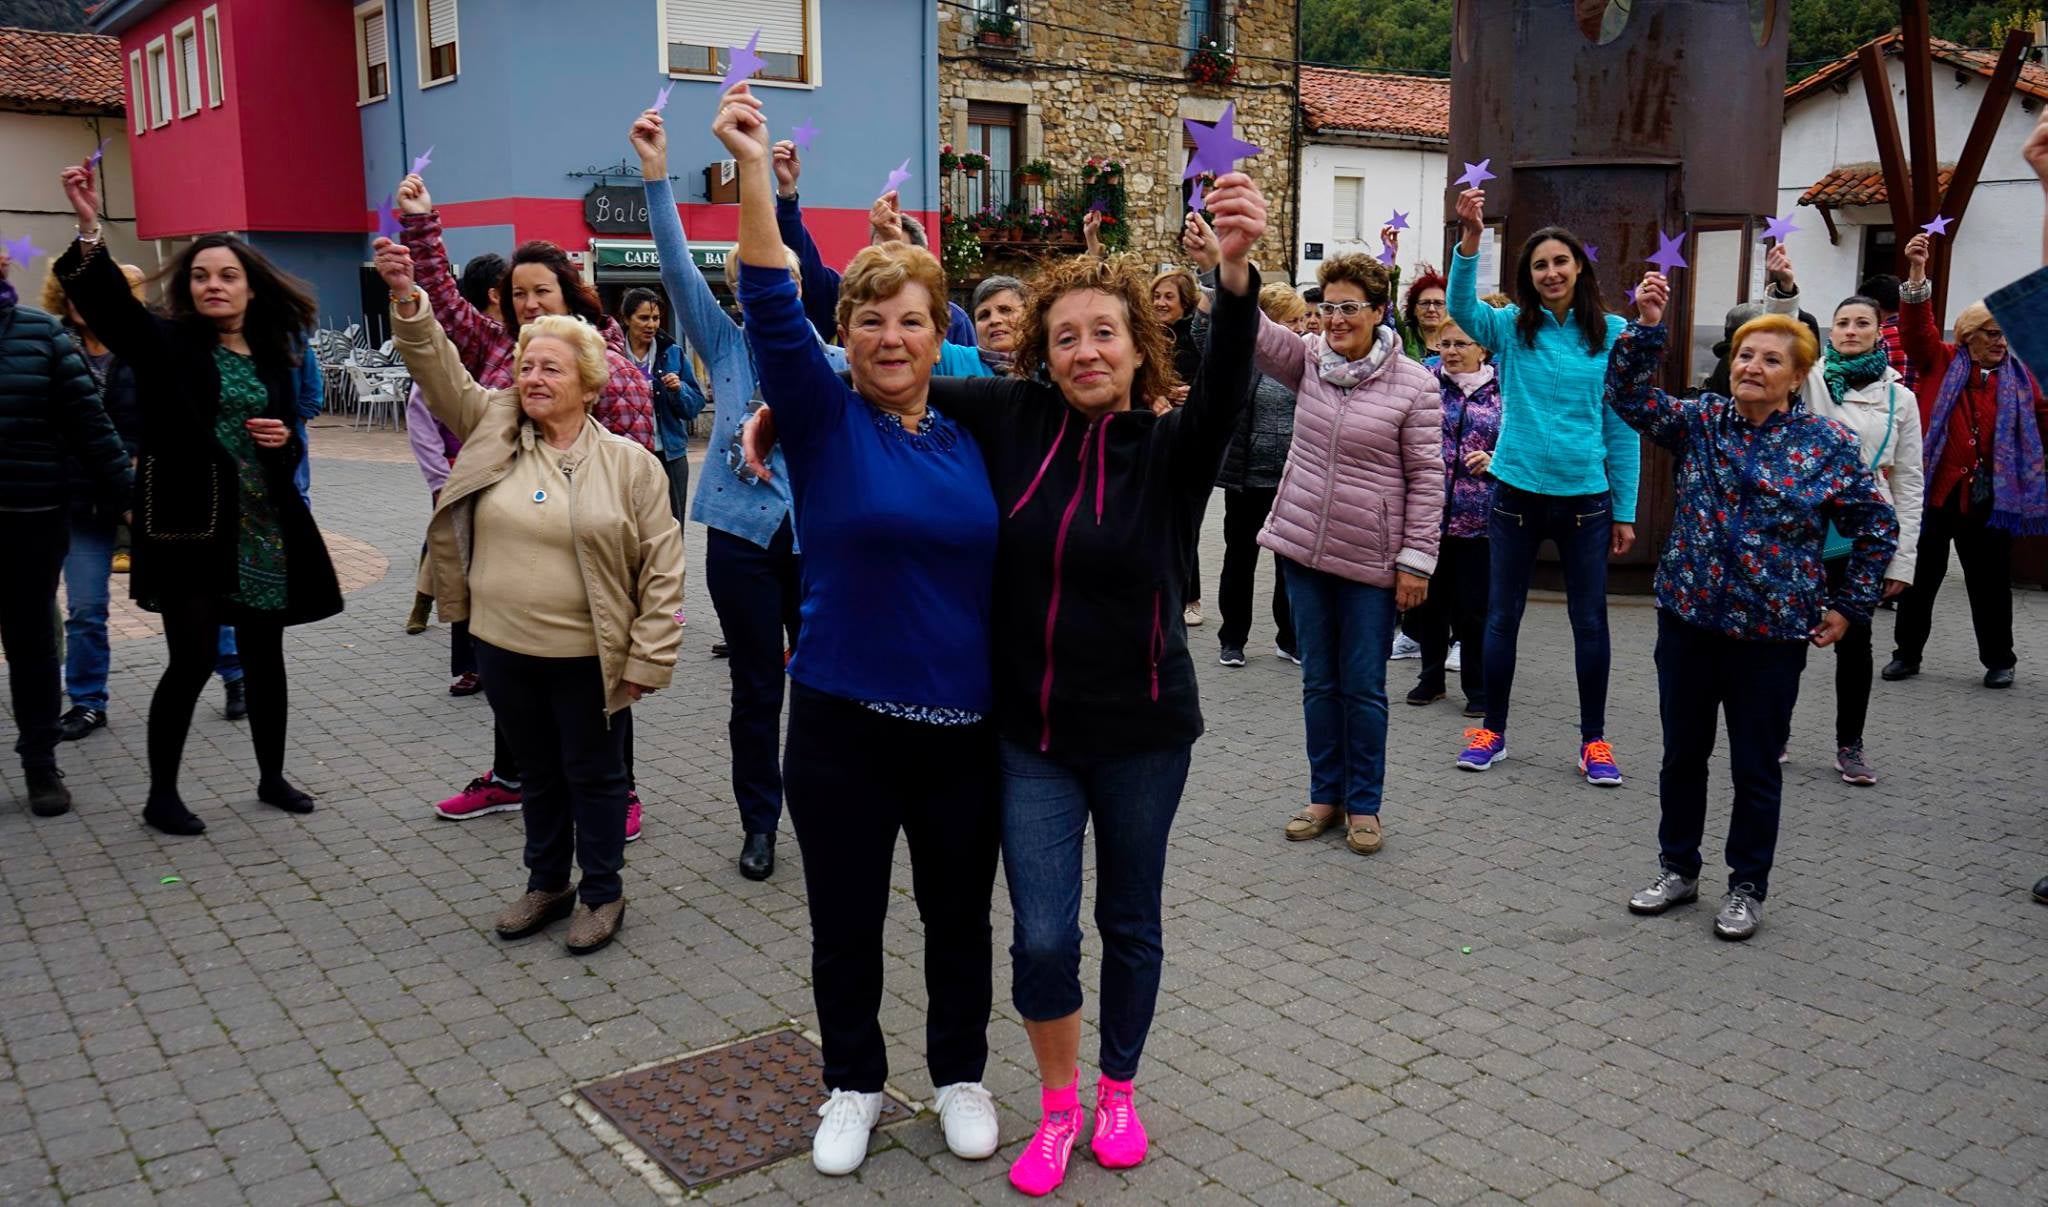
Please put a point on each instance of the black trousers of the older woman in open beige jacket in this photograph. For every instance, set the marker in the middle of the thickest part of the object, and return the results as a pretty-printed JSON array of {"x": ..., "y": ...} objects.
[{"x": 574, "y": 794}]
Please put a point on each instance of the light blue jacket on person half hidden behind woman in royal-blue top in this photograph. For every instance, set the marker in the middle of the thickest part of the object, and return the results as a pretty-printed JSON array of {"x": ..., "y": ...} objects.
[{"x": 726, "y": 501}]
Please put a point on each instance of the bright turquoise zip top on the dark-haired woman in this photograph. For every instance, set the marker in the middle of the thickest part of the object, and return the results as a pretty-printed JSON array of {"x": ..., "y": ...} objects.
[{"x": 1558, "y": 438}]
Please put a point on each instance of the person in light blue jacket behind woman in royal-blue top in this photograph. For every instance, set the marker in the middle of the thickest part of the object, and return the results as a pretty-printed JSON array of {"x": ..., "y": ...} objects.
[{"x": 751, "y": 554}]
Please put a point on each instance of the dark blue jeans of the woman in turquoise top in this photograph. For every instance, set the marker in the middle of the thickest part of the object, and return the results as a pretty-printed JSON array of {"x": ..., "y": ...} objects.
[{"x": 1582, "y": 528}]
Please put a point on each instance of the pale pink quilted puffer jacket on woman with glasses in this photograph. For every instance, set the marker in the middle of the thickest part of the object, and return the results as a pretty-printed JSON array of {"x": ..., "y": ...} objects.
[{"x": 1363, "y": 491}]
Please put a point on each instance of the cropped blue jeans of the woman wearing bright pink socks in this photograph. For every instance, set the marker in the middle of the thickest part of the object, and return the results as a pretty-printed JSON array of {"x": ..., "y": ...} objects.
[{"x": 1048, "y": 806}]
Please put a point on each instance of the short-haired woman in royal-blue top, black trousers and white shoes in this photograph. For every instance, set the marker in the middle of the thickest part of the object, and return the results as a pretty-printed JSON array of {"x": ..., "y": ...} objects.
[{"x": 890, "y": 712}]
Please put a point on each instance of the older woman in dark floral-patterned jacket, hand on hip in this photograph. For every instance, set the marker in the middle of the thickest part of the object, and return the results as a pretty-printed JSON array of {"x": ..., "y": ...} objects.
[{"x": 1742, "y": 589}]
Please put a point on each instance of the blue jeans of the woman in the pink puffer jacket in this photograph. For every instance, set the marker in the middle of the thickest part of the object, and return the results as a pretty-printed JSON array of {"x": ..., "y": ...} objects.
[{"x": 1345, "y": 630}]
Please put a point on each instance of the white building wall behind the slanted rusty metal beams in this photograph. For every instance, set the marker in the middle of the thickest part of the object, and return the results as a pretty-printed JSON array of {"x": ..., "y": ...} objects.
[{"x": 1998, "y": 243}]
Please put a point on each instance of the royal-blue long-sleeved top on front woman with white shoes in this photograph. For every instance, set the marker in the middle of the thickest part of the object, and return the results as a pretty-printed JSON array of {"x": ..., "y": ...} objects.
[{"x": 898, "y": 530}]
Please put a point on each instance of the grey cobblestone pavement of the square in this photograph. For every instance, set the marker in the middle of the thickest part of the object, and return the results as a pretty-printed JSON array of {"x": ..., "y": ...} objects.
[{"x": 316, "y": 1011}]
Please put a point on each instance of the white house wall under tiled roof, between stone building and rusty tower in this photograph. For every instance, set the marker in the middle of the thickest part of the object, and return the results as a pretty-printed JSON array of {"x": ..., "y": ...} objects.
[{"x": 1394, "y": 177}]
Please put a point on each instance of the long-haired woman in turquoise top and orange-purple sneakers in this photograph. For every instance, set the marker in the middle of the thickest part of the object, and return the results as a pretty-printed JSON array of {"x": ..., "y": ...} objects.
[{"x": 1566, "y": 468}]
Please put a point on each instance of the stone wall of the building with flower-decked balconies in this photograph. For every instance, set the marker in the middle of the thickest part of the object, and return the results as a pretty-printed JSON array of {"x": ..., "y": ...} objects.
[{"x": 1111, "y": 79}]
